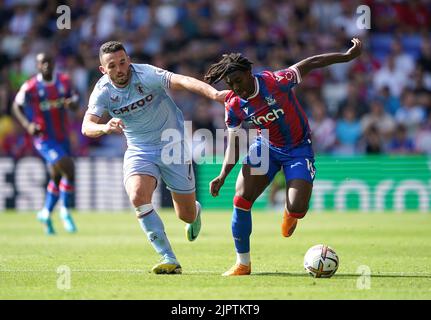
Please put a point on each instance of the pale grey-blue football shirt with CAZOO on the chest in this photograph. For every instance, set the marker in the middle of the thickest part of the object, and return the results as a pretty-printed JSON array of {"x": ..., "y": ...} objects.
[{"x": 144, "y": 106}]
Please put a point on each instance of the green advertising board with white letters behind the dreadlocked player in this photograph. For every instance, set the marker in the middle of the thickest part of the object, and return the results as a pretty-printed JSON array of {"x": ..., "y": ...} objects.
[{"x": 364, "y": 183}]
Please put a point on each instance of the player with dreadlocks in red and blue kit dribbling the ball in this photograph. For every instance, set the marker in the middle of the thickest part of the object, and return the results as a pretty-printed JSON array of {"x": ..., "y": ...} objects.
[{"x": 266, "y": 101}]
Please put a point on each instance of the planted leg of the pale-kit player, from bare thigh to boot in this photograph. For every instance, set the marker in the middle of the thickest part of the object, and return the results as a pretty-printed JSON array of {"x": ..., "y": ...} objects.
[{"x": 140, "y": 188}]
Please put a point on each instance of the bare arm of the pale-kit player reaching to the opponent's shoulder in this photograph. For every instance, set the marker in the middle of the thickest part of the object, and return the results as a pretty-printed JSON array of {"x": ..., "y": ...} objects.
[{"x": 180, "y": 82}]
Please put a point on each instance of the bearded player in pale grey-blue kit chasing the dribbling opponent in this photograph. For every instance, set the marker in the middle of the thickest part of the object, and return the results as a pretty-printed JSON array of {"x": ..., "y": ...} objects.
[{"x": 136, "y": 98}]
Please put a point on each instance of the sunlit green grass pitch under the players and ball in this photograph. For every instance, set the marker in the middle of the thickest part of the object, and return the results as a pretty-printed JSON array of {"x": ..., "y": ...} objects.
[{"x": 110, "y": 258}]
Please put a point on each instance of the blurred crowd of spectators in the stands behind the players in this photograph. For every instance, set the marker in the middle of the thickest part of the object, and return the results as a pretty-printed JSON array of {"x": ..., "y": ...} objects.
[{"x": 379, "y": 103}]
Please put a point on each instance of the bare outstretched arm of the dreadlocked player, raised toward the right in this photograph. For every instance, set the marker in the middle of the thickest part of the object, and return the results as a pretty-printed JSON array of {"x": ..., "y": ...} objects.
[{"x": 323, "y": 60}]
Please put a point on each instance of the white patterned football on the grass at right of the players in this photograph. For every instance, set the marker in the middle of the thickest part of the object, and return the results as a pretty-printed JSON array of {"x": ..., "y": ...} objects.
[{"x": 321, "y": 261}]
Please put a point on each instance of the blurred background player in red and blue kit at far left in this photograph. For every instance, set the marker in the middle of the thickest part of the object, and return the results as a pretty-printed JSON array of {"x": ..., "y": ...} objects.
[{"x": 40, "y": 107}]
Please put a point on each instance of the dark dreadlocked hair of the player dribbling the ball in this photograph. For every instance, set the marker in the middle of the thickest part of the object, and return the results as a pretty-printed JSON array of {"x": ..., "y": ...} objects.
[{"x": 229, "y": 63}]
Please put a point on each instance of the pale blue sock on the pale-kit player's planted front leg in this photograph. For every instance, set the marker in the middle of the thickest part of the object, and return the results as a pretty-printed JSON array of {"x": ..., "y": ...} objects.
[{"x": 154, "y": 229}]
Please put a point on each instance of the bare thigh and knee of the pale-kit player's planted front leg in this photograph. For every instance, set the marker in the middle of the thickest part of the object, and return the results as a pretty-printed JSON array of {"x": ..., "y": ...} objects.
[{"x": 140, "y": 188}]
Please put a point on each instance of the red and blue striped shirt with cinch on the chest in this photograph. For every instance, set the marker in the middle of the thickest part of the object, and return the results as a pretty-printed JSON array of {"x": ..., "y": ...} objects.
[{"x": 273, "y": 107}]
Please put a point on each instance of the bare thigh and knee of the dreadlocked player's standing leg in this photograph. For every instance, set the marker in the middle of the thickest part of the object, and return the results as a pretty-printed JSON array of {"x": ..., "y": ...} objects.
[{"x": 250, "y": 185}]
